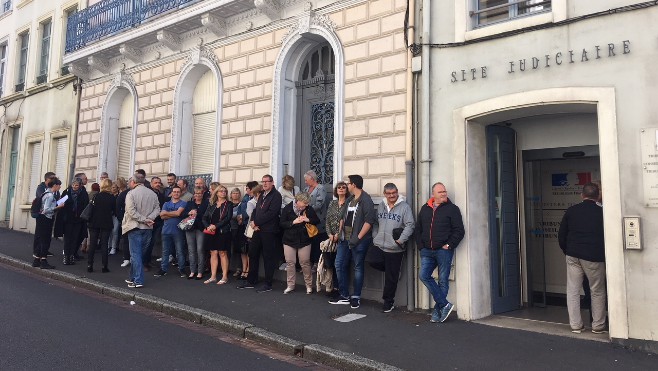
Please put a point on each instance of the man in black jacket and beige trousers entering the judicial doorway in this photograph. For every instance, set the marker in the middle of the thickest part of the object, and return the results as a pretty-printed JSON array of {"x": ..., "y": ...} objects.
[{"x": 581, "y": 240}]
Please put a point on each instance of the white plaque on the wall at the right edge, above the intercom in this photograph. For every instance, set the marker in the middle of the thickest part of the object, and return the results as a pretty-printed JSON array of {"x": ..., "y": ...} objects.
[{"x": 649, "y": 148}]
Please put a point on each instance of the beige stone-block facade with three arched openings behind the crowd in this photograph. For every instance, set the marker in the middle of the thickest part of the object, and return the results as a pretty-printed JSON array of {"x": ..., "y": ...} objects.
[{"x": 241, "y": 89}]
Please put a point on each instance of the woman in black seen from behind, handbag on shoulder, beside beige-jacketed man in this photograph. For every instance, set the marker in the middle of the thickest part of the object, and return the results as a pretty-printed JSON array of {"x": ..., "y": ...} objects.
[{"x": 100, "y": 224}]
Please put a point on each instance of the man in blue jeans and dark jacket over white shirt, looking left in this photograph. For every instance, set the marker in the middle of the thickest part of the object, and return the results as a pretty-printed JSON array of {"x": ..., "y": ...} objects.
[{"x": 355, "y": 238}]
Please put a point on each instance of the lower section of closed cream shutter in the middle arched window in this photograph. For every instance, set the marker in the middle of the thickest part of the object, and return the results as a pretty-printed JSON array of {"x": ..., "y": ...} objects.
[{"x": 203, "y": 143}]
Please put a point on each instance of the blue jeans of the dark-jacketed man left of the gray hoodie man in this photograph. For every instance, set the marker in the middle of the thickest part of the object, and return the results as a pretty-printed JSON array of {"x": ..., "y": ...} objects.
[{"x": 357, "y": 255}]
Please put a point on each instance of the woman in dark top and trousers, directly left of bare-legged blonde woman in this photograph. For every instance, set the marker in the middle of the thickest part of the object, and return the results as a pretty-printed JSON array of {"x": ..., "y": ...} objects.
[{"x": 195, "y": 209}]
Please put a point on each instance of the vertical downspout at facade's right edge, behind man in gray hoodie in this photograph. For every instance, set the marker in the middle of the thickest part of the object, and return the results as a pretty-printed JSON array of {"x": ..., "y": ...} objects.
[{"x": 409, "y": 152}]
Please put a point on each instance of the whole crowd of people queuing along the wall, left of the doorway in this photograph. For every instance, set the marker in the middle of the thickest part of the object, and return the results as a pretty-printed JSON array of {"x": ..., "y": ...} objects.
[{"x": 308, "y": 230}]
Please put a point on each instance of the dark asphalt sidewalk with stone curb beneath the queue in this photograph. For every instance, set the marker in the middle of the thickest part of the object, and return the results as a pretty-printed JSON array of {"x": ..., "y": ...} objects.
[{"x": 305, "y": 324}]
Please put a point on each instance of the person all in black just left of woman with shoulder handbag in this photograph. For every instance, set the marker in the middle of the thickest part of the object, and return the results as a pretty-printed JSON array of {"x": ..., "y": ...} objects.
[{"x": 75, "y": 228}]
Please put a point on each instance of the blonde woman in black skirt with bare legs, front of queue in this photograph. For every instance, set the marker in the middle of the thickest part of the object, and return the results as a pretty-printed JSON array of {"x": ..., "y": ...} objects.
[{"x": 217, "y": 222}]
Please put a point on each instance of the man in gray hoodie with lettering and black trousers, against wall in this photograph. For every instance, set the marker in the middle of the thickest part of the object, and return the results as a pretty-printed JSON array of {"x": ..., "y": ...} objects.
[{"x": 395, "y": 225}]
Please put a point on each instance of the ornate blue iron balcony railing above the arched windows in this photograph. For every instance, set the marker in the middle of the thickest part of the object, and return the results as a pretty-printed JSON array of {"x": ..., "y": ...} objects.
[{"x": 110, "y": 17}]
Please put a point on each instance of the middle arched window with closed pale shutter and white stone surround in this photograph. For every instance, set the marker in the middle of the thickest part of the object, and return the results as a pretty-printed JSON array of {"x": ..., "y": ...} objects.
[{"x": 196, "y": 134}]
